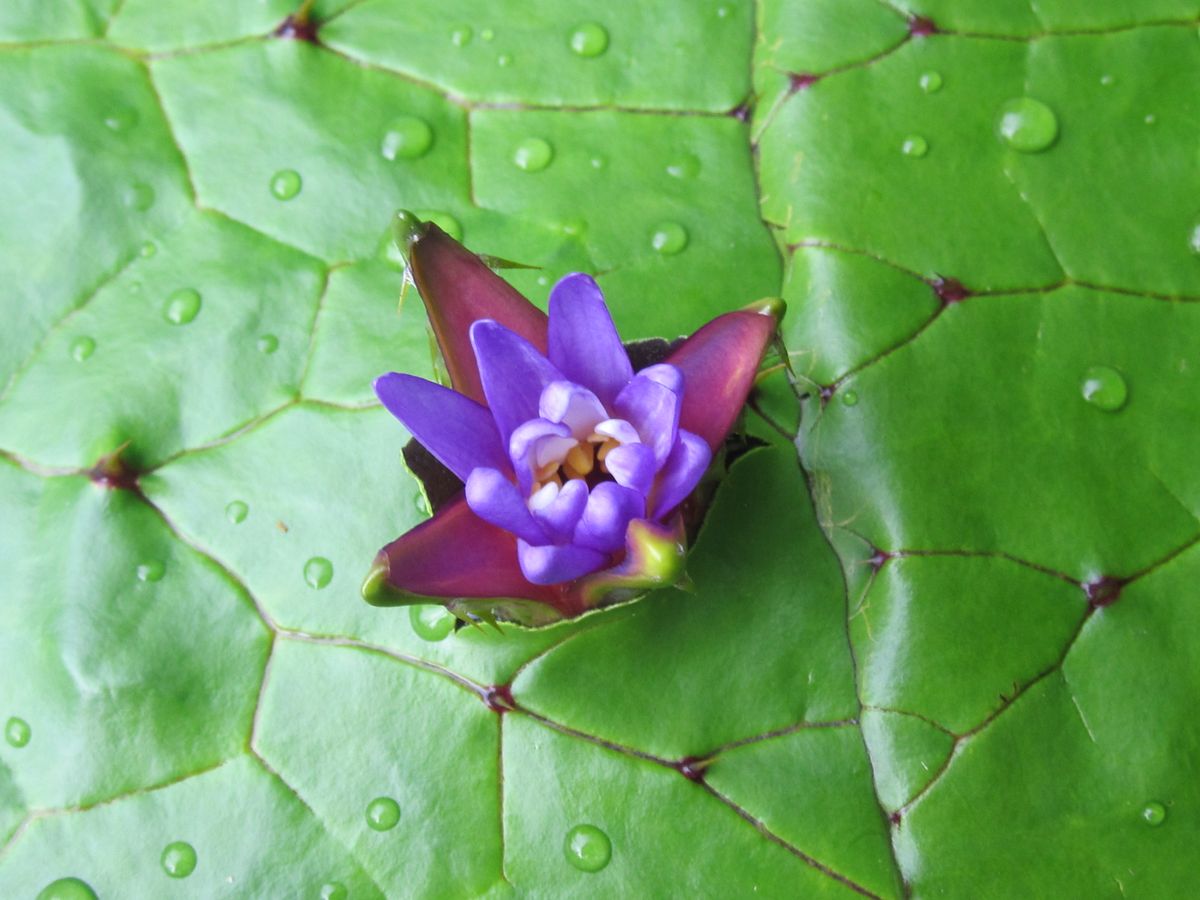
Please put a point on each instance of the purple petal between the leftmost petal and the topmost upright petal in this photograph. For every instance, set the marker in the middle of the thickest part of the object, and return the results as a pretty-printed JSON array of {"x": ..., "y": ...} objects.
[{"x": 514, "y": 374}]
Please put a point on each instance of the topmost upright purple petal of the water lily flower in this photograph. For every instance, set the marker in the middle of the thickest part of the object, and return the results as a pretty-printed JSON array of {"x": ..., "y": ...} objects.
[{"x": 584, "y": 343}]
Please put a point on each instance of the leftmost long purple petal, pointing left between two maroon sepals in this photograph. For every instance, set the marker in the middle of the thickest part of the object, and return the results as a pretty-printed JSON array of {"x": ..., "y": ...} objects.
[{"x": 458, "y": 431}]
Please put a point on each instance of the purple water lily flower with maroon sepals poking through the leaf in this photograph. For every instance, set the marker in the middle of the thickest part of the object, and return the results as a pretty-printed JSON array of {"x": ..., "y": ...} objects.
[{"x": 575, "y": 469}]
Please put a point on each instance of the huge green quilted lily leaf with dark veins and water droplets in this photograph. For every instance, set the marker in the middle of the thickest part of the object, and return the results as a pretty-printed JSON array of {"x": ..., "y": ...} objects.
[{"x": 945, "y": 631}]
